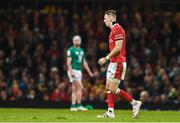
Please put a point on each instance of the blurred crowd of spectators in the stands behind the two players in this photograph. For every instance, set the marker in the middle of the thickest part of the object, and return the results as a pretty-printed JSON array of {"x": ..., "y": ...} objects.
[{"x": 33, "y": 44}]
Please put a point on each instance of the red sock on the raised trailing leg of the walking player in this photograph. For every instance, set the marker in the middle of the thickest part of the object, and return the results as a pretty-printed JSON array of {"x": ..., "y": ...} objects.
[{"x": 124, "y": 95}]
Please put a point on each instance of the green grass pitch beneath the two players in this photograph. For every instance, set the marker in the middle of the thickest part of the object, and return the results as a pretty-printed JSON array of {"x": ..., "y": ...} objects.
[{"x": 65, "y": 115}]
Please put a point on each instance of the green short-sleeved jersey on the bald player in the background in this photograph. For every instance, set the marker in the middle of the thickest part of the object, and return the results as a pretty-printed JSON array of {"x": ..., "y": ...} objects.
[{"x": 77, "y": 56}]
